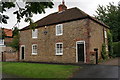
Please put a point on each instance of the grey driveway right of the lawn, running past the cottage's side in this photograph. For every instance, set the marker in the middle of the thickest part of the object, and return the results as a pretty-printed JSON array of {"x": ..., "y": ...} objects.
[{"x": 108, "y": 69}]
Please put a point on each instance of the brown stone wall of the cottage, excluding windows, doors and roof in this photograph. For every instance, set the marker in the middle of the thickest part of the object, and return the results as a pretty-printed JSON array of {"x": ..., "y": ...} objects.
[{"x": 72, "y": 32}]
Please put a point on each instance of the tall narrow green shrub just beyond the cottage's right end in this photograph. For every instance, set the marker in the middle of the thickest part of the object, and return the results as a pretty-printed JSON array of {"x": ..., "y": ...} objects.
[{"x": 110, "y": 44}]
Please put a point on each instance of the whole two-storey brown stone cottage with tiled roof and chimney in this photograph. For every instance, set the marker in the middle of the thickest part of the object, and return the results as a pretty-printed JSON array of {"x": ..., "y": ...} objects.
[{"x": 66, "y": 36}]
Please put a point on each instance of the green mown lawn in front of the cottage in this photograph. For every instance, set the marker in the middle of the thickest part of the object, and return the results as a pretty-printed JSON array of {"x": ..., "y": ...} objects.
[{"x": 32, "y": 70}]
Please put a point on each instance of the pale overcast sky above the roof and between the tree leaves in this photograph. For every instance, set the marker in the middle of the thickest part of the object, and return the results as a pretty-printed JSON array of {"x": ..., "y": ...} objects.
[{"x": 88, "y": 6}]
